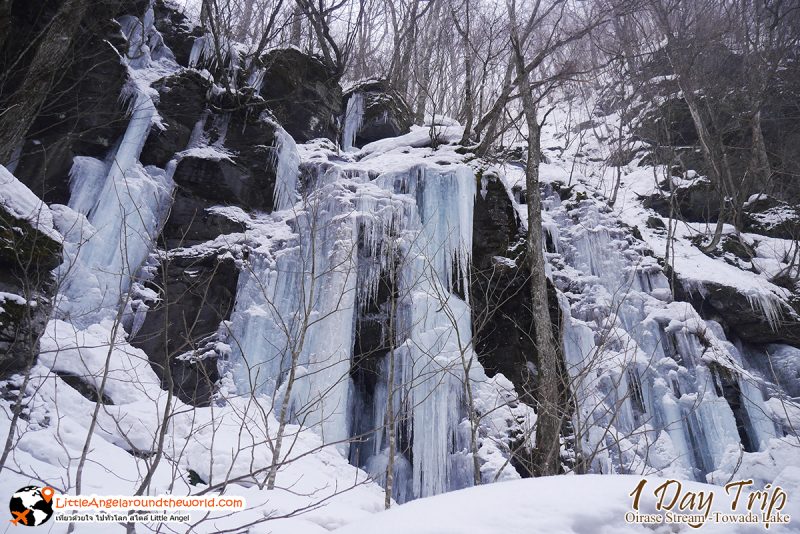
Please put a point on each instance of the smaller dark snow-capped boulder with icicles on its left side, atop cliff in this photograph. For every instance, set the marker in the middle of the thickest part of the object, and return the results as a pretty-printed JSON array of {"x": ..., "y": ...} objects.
[{"x": 386, "y": 113}]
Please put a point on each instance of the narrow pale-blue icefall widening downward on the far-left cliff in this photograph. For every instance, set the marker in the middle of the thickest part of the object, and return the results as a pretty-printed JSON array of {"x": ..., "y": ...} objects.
[{"x": 124, "y": 202}]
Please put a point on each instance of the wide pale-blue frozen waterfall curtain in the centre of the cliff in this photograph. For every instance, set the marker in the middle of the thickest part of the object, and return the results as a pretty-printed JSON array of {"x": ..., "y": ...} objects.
[{"x": 298, "y": 300}]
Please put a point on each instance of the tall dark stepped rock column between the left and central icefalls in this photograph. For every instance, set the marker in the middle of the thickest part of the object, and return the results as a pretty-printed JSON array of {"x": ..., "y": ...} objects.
[{"x": 225, "y": 151}]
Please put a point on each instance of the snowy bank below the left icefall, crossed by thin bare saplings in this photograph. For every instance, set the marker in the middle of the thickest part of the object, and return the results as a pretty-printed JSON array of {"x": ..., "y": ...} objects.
[{"x": 317, "y": 489}]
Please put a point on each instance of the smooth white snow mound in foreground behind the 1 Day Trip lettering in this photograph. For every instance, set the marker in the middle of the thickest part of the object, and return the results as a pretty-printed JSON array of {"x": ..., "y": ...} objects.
[{"x": 588, "y": 504}]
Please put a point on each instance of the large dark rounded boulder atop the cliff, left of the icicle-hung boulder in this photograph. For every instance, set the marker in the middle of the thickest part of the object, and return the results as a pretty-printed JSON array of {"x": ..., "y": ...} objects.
[{"x": 303, "y": 94}]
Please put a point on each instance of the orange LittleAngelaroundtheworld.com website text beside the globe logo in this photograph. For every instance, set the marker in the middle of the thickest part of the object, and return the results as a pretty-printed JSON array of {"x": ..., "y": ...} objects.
[{"x": 160, "y": 502}]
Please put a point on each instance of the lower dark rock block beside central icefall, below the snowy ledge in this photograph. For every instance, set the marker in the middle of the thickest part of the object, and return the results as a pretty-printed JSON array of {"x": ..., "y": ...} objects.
[{"x": 197, "y": 293}]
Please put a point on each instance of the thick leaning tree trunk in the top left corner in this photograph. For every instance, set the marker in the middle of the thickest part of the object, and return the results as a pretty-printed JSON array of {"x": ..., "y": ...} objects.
[{"x": 24, "y": 104}]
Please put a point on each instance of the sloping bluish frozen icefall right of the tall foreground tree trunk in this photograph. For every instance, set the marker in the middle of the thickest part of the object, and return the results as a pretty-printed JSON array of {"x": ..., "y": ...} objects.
[{"x": 658, "y": 388}]
